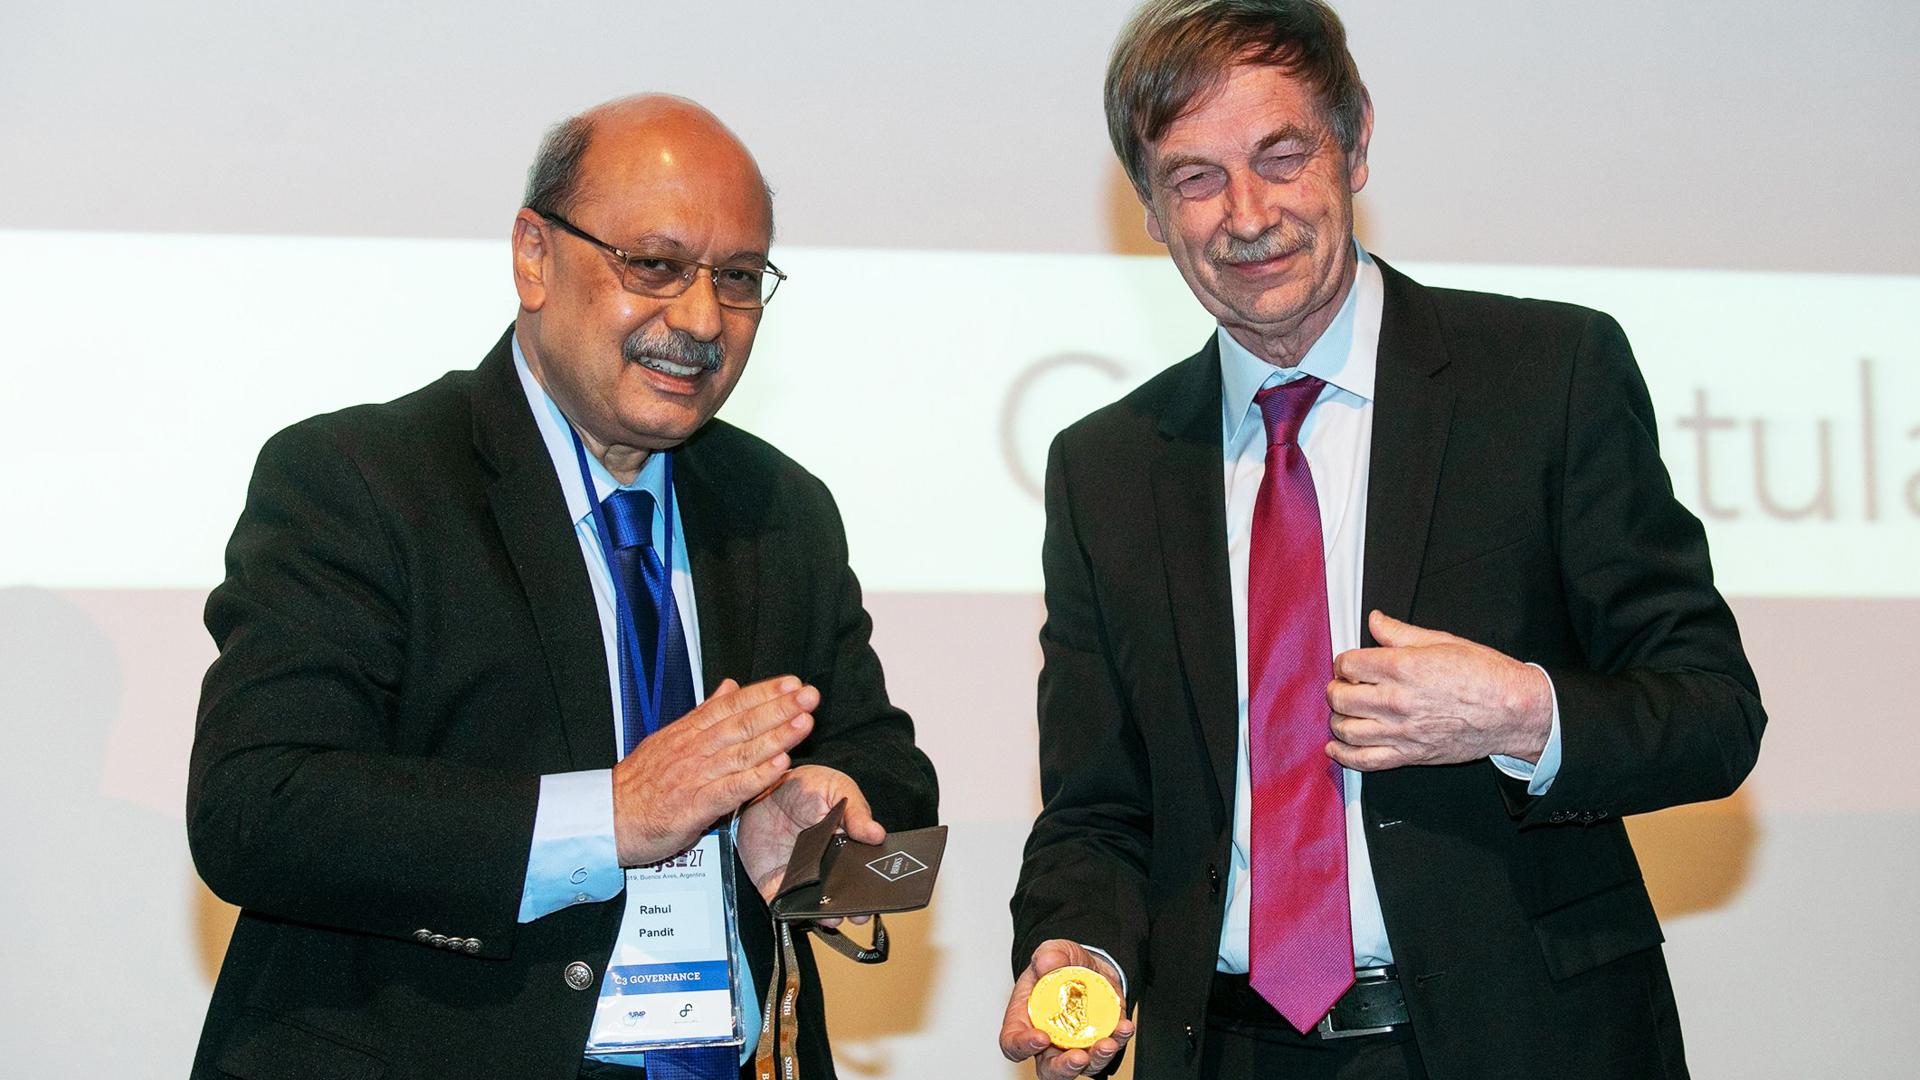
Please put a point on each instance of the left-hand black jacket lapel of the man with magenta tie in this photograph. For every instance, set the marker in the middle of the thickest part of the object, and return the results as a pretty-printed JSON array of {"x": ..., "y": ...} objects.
[{"x": 1189, "y": 504}]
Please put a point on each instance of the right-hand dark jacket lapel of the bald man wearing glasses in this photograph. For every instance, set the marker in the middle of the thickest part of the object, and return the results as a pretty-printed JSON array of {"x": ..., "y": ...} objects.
[{"x": 723, "y": 558}]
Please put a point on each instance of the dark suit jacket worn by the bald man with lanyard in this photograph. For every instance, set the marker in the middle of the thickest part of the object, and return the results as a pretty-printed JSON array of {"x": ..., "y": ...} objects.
[{"x": 408, "y": 643}]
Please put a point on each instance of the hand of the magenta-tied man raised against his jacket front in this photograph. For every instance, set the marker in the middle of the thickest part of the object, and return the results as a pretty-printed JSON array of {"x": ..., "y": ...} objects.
[{"x": 1431, "y": 699}]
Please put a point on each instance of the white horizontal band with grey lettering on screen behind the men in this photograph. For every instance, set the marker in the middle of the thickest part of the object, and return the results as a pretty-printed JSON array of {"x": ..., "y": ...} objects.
[{"x": 147, "y": 370}]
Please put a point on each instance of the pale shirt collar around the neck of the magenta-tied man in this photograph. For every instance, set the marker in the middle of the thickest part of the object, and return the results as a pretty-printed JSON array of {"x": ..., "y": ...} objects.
[{"x": 1343, "y": 356}]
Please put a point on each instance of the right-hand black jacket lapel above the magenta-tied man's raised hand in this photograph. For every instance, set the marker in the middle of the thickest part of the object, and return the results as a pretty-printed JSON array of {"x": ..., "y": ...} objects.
[{"x": 1412, "y": 410}]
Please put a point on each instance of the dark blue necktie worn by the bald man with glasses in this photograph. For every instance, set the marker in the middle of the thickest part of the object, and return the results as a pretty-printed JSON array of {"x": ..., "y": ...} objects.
[{"x": 654, "y": 612}]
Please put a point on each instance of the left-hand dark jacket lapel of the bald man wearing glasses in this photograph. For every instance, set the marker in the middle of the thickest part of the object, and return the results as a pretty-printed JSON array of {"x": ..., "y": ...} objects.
[{"x": 531, "y": 514}]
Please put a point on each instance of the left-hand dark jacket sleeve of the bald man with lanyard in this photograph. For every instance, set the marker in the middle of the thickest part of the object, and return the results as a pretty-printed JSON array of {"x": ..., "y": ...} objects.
[{"x": 300, "y": 806}]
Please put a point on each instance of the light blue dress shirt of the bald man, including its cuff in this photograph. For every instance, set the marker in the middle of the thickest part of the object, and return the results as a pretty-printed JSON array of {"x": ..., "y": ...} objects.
[{"x": 575, "y": 858}]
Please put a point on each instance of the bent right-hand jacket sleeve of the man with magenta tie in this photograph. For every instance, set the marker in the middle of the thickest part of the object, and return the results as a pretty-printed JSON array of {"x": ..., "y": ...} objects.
[{"x": 1666, "y": 710}]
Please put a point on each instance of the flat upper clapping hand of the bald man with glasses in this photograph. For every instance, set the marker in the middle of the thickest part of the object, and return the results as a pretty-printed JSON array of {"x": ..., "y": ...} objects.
[{"x": 706, "y": 766}]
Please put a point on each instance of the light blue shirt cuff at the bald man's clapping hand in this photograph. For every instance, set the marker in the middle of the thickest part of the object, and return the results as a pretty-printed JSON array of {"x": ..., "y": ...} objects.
[{"x": 575, "y": 858}]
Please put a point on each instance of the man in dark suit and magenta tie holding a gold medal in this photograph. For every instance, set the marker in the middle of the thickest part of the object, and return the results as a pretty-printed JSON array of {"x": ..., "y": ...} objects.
[{"x": 1364, "y": 629}]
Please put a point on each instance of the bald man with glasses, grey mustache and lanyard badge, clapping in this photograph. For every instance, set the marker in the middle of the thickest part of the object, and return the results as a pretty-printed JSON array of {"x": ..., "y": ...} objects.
[{"x": 498, "y": 650}]
